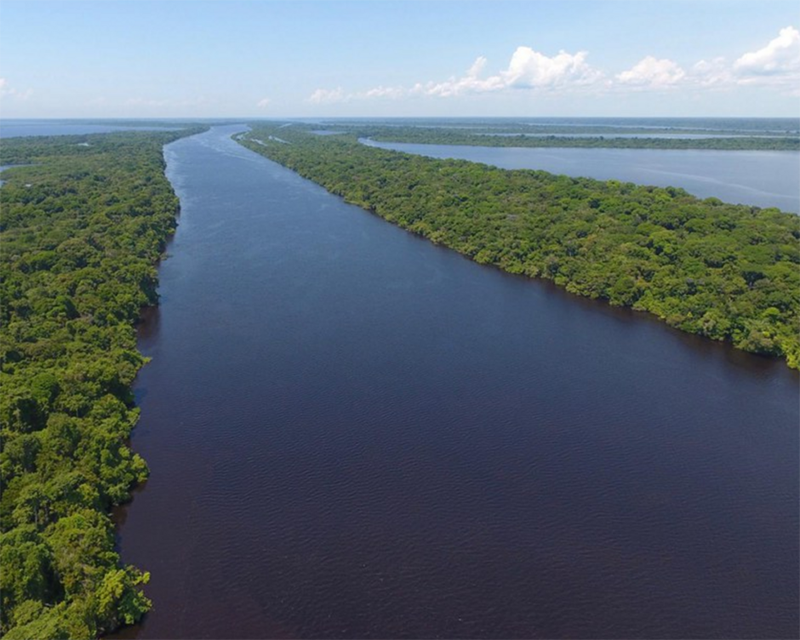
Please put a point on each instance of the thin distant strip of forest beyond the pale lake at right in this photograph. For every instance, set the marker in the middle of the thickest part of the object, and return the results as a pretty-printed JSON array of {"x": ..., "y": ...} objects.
[{"x": 447, "y": 135}]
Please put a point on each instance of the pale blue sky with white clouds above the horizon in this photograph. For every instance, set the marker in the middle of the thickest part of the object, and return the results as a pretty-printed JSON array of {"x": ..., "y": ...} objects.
[{"x": 116, "y": 58}]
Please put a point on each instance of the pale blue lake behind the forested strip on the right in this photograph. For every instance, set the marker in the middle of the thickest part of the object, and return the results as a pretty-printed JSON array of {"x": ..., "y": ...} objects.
[{"x": 762, "y": 178}]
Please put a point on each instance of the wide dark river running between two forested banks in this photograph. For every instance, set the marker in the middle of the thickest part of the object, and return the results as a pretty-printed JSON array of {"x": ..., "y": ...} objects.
[{"x": 354, "y": 433}]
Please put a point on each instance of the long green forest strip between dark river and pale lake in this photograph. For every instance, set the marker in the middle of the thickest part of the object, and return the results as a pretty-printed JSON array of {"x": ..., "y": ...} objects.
[{"x": 728, "y": 272}]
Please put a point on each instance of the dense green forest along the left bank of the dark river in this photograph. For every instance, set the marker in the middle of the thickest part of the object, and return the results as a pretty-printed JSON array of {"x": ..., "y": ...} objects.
[{"x": 81, "y": 230}]
